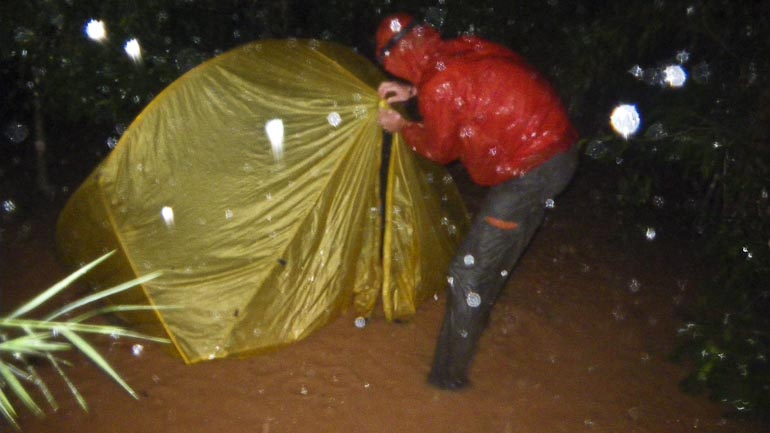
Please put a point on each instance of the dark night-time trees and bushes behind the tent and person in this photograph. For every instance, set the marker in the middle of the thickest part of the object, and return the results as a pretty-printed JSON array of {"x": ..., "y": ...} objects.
[{"x": 700, "y": 161}]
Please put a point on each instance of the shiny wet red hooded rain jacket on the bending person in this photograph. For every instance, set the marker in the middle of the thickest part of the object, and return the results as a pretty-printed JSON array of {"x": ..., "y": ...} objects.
[{"x": 481, "y": 103}]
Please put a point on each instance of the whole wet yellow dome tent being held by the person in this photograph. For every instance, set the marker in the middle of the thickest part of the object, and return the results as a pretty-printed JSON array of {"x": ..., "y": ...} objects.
[{"x": 253, "y": 183}]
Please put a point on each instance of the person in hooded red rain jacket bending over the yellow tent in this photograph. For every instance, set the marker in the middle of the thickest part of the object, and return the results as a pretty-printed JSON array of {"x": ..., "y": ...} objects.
[{"x": 483, "y": 105}]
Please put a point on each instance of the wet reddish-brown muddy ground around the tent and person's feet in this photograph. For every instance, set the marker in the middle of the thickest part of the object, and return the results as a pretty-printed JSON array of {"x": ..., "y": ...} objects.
[{"x": 578, "y": 342}]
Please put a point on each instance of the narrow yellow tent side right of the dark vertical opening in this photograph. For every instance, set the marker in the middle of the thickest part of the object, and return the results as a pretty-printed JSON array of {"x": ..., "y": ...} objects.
[{"x": 425, "y": 221}]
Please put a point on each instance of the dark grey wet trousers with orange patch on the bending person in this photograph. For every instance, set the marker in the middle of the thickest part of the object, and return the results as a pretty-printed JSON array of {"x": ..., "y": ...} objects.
[{"x": 508, "y": 218}]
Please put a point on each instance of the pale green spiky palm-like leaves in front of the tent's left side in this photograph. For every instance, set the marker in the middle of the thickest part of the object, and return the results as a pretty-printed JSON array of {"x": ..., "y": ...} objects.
[{"x": 23, "y": 339}]
